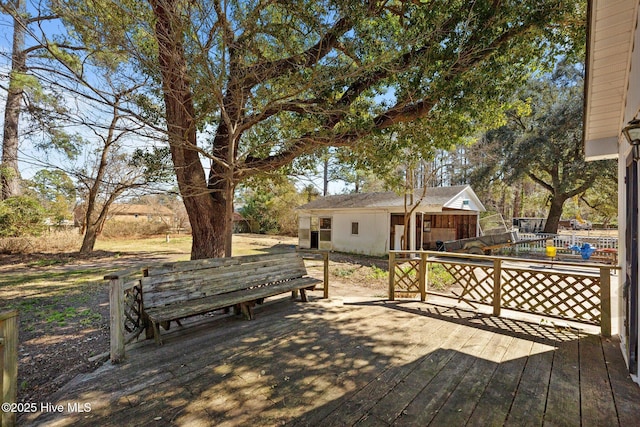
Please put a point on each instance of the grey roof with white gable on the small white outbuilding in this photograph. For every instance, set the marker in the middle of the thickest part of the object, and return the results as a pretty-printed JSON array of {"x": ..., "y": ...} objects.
[{"x": 436, "y": 197}]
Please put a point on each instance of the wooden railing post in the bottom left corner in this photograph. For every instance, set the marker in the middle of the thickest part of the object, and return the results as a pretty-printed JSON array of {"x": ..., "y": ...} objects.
[{"x": 8, "y": 364}]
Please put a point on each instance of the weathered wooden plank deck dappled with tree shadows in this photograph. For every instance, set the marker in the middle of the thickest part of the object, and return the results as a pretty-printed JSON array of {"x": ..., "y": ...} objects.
[{"x": 359, "y": 362}]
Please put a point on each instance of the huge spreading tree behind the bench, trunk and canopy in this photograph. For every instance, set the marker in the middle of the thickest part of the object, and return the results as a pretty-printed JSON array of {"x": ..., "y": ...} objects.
[{"x": 248, "y": 86}]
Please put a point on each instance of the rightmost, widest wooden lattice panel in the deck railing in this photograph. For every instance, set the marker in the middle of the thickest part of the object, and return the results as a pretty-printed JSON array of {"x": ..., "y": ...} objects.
[{"x": 570, "y": 296}]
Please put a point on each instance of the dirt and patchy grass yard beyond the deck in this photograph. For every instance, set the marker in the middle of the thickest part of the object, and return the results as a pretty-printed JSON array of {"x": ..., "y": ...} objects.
[{"x": 63, "y": 305}]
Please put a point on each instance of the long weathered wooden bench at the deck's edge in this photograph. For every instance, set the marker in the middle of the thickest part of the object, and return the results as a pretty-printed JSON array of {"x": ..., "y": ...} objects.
[{"x": 175, "y": 291}]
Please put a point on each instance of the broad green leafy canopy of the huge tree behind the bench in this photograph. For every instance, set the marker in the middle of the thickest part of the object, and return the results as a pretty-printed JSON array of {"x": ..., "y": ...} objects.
[{"x": 452, "y": 64}]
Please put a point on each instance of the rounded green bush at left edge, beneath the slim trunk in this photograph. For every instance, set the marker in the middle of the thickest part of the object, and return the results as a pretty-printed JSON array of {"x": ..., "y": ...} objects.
[{"x": 21, "y": 216}]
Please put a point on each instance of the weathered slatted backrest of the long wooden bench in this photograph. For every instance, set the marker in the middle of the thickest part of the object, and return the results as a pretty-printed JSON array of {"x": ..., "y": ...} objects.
[{"x": 179, "y": 281}]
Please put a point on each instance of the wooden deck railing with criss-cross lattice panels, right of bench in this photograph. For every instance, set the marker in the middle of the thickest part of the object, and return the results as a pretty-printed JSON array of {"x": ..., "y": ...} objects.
[{"x": 575, "y": 291}]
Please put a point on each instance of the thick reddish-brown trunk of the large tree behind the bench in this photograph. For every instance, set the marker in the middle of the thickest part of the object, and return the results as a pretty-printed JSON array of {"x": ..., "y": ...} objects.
[{"x": 206, "y": 205}]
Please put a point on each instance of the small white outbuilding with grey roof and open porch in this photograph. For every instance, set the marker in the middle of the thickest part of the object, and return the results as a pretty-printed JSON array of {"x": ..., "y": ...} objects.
[{"x": 373, "y": 223}]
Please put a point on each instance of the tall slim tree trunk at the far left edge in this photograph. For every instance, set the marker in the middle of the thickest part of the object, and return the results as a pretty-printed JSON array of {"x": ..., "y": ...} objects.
[{"x": 9, "y": 171}]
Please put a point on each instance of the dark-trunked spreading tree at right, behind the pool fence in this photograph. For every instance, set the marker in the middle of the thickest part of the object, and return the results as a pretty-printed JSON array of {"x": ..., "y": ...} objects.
[{"x": 542, "y": 141}]
